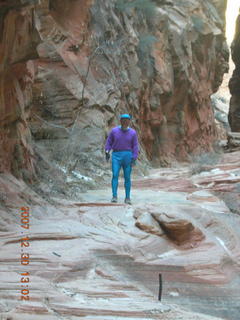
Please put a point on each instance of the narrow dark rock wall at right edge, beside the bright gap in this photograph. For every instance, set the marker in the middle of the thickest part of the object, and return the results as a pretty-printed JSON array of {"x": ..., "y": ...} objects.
[{"x": 234, "y": 111}]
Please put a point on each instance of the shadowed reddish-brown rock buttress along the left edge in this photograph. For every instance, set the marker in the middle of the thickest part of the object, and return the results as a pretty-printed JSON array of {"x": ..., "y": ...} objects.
[{"x": 18, "y": 39}]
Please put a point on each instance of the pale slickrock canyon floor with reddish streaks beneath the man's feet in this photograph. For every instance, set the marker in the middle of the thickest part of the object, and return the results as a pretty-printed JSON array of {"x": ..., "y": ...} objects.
[{"x": 90, "y": 259}]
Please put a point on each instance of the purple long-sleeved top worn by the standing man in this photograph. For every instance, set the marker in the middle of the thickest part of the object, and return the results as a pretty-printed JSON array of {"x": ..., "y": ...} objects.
[{"x": 119, "y": 139}]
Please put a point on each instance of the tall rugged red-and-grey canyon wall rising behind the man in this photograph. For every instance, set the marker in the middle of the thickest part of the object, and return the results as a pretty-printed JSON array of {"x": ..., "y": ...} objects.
[{"x": 70, "y": 67}]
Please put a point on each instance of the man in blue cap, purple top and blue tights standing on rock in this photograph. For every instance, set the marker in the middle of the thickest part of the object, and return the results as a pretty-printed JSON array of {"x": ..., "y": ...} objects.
[{"x": 123, "y": 142}]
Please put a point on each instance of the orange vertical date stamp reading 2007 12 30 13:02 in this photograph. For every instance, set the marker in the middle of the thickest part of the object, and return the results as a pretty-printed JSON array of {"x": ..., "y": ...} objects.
[{"x": 25, "y": 256}]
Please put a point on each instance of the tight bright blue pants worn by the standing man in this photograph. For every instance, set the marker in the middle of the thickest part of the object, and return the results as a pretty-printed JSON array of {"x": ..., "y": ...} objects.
[{"x": 121, "y": 159}]
